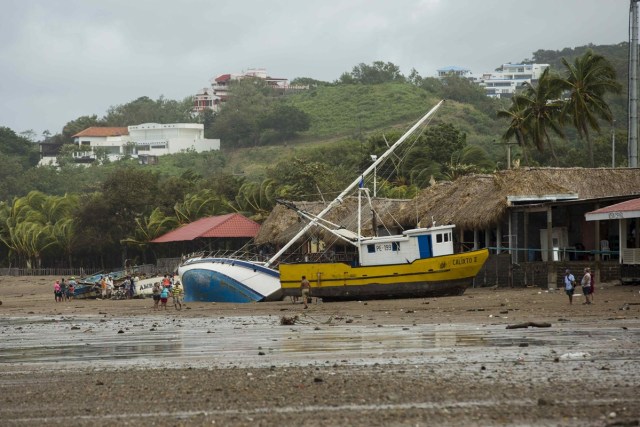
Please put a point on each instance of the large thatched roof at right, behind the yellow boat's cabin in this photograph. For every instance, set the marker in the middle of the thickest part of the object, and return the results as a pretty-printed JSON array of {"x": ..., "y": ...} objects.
[{"x": 480, "y": 201}]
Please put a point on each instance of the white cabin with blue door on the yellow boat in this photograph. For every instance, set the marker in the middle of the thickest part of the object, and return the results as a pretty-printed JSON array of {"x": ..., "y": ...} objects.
[{"x": 407, "y": 247}]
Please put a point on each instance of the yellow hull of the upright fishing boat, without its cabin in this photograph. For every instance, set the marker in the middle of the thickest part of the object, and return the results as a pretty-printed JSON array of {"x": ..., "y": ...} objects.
[{"x": 430, "y": 277}]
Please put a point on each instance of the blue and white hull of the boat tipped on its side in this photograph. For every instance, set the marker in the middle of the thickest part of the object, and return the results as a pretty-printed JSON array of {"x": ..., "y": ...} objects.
[{"x": 228, "y": 280}]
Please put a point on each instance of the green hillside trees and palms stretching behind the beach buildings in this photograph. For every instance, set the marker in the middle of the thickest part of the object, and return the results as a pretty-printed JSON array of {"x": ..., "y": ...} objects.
[{"x": 302, "y": 146}]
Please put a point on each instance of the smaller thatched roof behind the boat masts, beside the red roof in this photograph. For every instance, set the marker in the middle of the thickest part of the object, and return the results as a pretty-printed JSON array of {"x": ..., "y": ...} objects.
[{"x": 282, "y": 224}]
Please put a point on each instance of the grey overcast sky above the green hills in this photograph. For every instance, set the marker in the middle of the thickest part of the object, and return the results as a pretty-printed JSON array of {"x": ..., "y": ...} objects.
[{"x": 63, "y": 59}]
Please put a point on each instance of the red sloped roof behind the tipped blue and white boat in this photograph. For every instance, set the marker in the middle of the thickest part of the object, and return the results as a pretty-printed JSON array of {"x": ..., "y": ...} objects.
[{"x": 230, "y": 225}]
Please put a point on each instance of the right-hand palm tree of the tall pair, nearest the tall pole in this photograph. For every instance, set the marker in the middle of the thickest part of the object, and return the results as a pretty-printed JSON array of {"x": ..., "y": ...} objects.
[{"x": 588, "y": 79}]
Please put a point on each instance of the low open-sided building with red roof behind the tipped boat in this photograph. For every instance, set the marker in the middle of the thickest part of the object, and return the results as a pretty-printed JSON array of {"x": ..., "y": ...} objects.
[{"x": 223, "y": 232}]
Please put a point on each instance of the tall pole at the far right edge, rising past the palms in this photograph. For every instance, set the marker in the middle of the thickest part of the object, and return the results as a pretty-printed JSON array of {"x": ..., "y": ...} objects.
[{"x": 633, "y": 85}]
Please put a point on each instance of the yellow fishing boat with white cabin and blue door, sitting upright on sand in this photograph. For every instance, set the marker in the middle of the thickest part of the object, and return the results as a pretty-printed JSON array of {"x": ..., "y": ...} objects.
[{"x": 418, "y": 263}]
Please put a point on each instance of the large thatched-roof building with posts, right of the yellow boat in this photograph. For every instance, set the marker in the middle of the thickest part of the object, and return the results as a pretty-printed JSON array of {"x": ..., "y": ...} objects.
[{"x": 519, "y": 209}]
